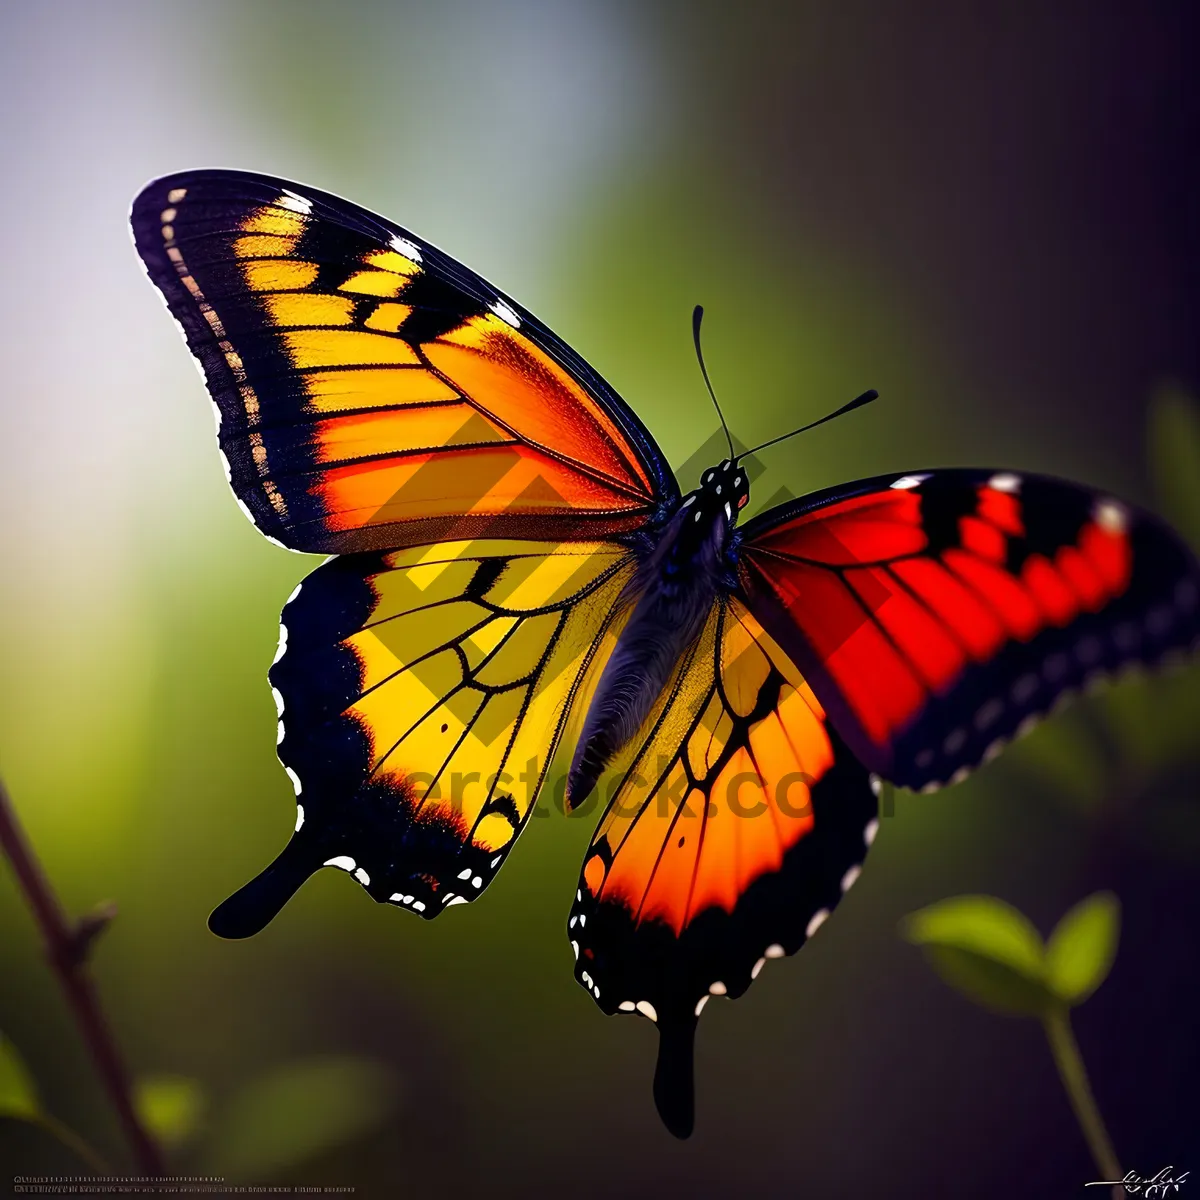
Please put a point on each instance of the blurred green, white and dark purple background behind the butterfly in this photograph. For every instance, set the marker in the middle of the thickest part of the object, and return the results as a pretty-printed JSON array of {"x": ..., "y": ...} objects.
[{"x": 988, "y": 212}]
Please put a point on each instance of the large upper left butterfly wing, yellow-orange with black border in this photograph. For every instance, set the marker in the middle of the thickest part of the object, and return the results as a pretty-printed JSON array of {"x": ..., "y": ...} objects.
[{"x": 371, "y": 393}]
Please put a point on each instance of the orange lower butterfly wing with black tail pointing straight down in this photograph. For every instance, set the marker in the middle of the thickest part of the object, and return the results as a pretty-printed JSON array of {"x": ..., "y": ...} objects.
[{"x": 734, "y": 829}]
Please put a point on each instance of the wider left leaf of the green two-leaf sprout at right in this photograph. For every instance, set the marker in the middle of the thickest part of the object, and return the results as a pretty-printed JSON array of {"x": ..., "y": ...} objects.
[{"x": 987, "y": 950}]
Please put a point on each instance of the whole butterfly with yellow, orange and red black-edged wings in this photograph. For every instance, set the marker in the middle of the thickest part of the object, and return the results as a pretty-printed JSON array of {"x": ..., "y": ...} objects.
[{"x": 515, "y": 568}]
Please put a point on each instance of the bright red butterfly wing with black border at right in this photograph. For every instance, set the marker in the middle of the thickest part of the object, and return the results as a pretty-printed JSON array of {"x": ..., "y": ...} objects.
[{"x": 938, "y": 614}]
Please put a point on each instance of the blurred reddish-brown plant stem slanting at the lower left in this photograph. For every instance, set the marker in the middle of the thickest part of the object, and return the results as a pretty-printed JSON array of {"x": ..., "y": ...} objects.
[{"x": 63, "y": 950}]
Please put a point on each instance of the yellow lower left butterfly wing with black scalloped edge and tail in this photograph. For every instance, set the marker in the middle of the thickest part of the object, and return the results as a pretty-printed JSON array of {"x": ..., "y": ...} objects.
[{"x": 422, "y": 697}]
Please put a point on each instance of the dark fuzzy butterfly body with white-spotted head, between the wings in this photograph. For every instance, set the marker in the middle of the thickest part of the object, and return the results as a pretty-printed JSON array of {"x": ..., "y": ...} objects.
[{"x": 671, "y": 595}]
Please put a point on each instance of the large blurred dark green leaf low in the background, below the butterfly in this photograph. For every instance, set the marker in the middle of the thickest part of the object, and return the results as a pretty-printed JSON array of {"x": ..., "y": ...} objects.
[{"x": 299, "y": 1112}]
